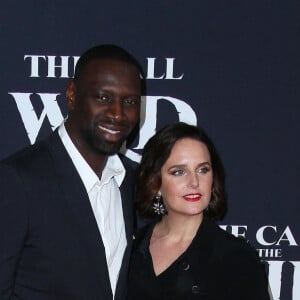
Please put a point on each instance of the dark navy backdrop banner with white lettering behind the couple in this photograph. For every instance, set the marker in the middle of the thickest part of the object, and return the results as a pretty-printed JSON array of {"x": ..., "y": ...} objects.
[{"x": 232, "y": 67}]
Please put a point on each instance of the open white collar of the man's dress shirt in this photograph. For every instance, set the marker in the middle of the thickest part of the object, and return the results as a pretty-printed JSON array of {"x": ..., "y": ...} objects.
[{"x": 113, "y": 168}]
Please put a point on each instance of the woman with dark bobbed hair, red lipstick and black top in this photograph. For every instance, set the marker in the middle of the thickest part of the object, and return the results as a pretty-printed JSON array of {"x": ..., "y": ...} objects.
[{"x": 184, "y": 254}]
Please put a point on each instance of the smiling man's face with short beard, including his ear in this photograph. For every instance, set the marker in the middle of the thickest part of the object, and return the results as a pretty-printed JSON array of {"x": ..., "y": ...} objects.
[{"x": 104, "y": 105}]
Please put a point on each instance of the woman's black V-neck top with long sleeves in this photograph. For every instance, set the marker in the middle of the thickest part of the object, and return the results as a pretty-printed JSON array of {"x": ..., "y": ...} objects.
[{"x": 216, "y": 266}]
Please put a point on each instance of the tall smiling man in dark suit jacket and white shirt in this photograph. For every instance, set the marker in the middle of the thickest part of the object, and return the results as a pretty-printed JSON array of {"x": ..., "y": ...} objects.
[{"x": 66, "y": 203}]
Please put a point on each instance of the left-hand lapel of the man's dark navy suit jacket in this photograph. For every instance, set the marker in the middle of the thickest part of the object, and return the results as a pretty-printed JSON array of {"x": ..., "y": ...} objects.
[{"x": 82, "y": 216}]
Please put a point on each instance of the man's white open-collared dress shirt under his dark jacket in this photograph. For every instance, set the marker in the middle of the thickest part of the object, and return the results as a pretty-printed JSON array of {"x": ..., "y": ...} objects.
[{"x": 105, "y": 199}]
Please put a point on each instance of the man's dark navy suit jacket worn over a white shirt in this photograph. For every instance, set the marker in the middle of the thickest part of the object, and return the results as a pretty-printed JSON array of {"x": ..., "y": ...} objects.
[{"x": 50, "y": 245}]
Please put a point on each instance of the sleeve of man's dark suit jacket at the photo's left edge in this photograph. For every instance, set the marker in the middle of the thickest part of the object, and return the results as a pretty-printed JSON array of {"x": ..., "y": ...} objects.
[{"x": 13, "y": 227}]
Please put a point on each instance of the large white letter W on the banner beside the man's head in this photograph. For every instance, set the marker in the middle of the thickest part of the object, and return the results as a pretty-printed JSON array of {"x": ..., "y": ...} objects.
[{"x": 29, "y": 117}]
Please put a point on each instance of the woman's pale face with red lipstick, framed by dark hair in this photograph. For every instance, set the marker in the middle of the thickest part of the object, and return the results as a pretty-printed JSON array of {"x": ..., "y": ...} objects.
[{"x": 187, "y": 178}]
